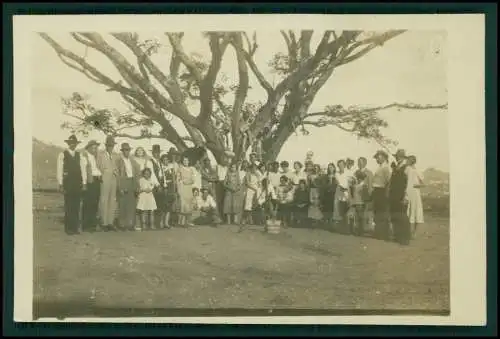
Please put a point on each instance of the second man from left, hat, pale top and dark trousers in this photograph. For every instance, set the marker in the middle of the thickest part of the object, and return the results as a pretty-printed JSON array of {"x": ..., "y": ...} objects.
[{"x": 91, "y": 196}]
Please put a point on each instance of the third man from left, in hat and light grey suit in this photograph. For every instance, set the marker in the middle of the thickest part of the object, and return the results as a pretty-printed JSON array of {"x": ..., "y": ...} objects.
[{"x": 107, "y": 164}]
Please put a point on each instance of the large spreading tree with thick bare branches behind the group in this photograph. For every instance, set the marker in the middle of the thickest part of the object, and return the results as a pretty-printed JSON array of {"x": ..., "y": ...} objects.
[{"x": 224, "y": 118}]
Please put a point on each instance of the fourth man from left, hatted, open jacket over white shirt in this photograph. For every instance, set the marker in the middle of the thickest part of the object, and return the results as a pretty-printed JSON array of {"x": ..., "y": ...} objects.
[{"x": 128, "y": 173}]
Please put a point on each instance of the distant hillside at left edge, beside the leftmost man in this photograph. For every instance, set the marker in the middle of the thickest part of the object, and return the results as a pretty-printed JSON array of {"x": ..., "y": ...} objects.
[{"x": 44, "y": 162}]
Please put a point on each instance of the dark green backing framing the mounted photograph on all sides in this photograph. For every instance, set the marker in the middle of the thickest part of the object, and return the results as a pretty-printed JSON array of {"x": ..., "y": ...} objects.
[{"x": 10, "y": 328}]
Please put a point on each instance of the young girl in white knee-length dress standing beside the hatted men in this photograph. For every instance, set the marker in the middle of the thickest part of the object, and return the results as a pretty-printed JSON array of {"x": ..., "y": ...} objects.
[{"x": 146, "y": 203}]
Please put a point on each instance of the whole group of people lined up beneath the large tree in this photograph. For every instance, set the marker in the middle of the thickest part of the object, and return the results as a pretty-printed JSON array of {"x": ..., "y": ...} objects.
[{"x": 139, "y": 192}]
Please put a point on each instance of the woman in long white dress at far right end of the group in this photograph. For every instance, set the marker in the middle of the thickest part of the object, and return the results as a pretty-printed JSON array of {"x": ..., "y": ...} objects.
[{"x": 415, "y": 182}]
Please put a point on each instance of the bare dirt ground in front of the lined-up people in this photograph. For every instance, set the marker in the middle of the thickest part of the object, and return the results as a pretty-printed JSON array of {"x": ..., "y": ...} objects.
[{"x": 205, "y": 267}]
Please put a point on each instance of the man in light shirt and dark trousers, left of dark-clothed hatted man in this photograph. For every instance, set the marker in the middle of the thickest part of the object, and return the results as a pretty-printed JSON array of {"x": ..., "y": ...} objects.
[{"x": 380, "y": 186}]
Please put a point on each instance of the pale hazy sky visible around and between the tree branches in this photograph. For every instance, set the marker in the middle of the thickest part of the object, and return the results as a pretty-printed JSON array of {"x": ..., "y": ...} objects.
[{"x": 410, "y": 68}]
